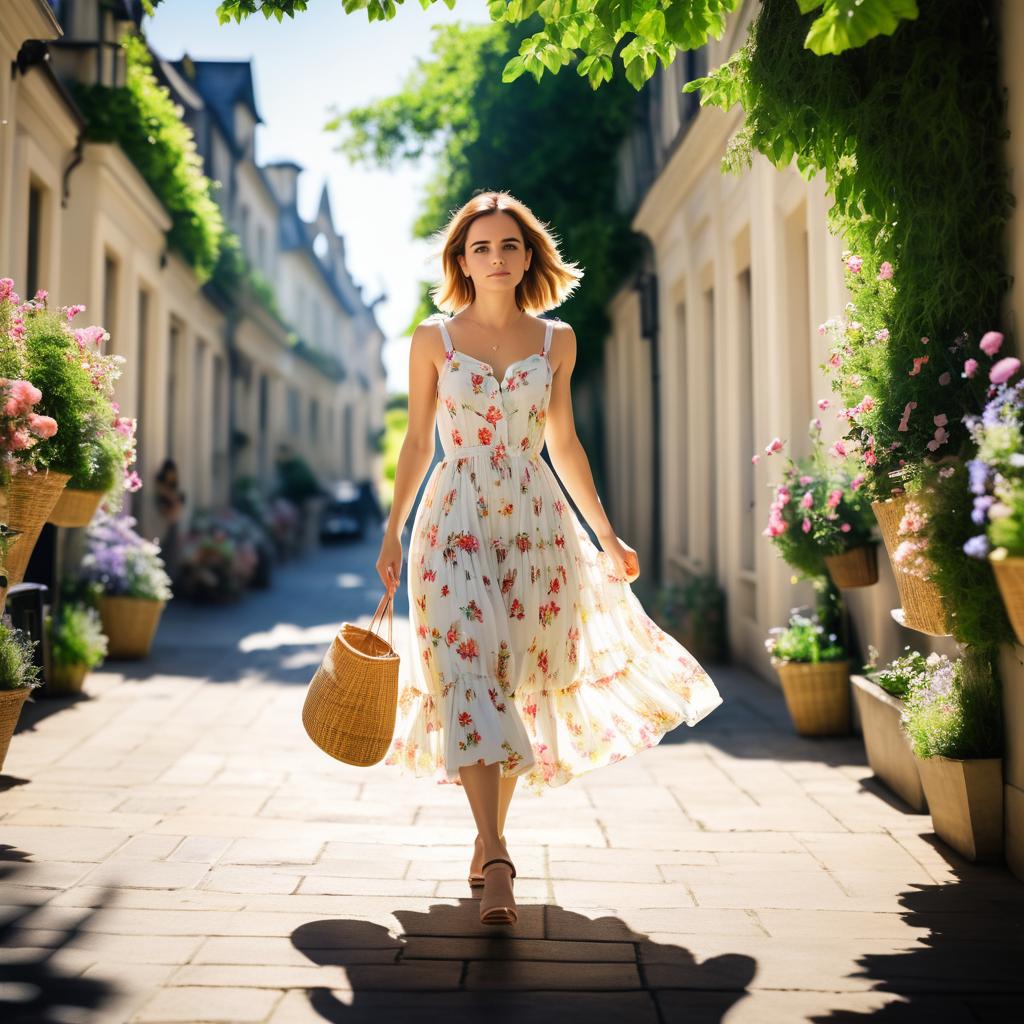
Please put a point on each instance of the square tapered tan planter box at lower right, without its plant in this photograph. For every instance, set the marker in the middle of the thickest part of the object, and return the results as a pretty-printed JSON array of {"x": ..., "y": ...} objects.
[{"x": 966, "y": 801}]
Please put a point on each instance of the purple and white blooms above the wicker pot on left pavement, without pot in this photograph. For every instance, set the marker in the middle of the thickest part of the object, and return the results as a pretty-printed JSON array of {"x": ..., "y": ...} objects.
[{"x": 120, "y": 563}]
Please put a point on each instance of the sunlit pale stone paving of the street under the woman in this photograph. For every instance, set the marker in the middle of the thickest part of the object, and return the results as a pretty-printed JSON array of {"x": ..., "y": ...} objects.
[{"x": 174, "y": 848}]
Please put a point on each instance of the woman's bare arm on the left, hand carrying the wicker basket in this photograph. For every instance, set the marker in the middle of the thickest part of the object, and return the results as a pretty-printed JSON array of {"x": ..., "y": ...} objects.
[{"x": 417, "y": 448}]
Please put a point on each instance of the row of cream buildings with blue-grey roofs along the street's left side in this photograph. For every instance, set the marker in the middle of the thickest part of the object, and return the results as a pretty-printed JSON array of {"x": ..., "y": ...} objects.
[{"x": 218, "y": 387}]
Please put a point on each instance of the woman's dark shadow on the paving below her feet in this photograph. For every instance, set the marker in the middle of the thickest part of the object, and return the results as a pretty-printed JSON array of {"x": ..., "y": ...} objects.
[{"x": 553, "y": 964}]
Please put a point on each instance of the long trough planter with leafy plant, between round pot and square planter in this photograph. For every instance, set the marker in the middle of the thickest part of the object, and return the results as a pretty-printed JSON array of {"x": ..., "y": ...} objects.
[{"x": 879, "y": 696}]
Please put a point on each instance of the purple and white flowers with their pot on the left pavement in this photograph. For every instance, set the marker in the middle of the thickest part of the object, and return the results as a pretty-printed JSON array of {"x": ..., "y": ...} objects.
[{"x": 131, "y": 582}]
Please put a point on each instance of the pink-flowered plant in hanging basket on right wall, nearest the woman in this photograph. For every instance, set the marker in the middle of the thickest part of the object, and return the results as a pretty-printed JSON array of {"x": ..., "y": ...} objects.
[{"x": 820, "y": 519}]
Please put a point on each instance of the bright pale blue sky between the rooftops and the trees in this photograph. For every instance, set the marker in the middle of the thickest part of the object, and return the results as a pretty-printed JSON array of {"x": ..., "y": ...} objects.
[{"x": 302, "y": 69}]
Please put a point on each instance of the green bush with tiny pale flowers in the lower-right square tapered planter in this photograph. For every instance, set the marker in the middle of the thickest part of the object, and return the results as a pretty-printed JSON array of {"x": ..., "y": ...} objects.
[{"x": 954, "y": 708}]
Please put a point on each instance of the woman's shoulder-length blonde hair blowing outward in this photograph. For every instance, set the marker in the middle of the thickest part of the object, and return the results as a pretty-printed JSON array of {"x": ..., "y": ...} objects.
[{"x": 547, "y": 283}]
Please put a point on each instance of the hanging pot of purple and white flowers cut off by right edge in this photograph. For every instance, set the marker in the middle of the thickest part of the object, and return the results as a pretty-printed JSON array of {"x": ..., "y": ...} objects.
[{"x": 997, "y": 481}]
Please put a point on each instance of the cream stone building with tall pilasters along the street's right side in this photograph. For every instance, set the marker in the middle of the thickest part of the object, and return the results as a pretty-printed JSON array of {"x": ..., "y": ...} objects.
[{"x": 715, "y": 351}]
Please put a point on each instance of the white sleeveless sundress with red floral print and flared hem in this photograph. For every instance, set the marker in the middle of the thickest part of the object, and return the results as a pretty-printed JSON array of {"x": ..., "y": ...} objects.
[{"x": 529, "y": 650}]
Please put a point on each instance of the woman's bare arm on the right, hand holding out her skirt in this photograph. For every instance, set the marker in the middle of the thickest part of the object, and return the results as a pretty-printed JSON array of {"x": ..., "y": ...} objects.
[{"x": 570, "y": 458}]
